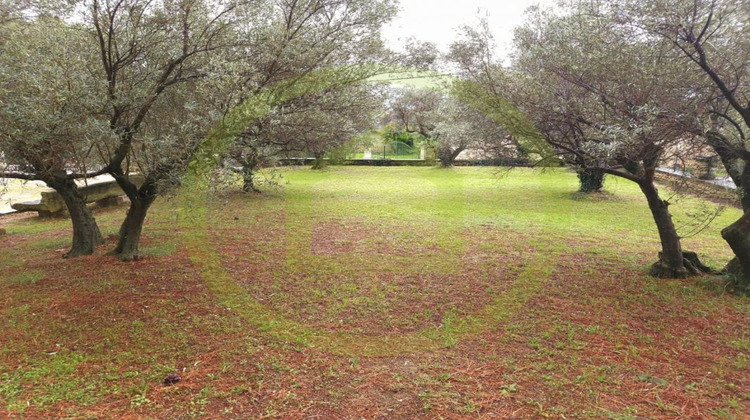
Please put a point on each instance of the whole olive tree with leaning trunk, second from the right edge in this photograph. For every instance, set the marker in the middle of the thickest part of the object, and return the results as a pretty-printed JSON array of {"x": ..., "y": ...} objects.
[{"x": 610, "y": 102}]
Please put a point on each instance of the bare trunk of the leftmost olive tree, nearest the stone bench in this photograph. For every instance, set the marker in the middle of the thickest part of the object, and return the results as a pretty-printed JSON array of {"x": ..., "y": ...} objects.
[{"x": 86, "y": 233}]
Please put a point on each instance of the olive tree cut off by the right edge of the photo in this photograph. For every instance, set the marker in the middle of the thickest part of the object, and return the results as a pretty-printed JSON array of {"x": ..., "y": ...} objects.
[{"x": 712, "y": 37}]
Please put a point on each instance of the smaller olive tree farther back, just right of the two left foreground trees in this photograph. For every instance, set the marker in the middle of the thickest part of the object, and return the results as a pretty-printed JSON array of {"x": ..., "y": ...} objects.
[{"x": 307, "y": 36}]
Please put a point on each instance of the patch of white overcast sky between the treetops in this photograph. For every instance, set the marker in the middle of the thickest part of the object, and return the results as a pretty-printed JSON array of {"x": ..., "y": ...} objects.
[{"x": 438, "y": 20}]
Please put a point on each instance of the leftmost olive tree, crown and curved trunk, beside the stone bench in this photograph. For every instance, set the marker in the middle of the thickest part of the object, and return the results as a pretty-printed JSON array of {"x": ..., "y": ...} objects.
[{"x": 48, "y": 106}]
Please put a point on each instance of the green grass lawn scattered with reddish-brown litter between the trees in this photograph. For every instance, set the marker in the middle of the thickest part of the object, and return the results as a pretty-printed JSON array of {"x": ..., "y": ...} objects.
[{"x": 364, "y": 292}]
